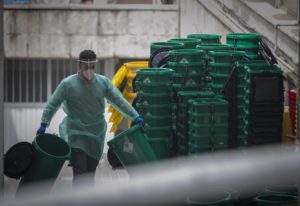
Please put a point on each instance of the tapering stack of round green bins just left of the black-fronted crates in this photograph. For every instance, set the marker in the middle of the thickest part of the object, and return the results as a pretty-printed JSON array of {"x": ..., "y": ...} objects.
[{"x": 221, "y": 64}]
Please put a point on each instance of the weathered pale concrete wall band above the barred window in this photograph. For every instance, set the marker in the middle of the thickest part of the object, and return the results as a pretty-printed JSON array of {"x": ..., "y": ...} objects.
[{"x": 64, "y": 32}]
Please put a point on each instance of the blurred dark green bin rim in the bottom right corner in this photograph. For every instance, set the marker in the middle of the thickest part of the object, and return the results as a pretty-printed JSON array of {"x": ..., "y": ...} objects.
[{"x": 276, "y": 200}]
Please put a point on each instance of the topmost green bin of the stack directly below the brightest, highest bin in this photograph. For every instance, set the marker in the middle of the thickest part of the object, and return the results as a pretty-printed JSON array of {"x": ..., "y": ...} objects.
[{"x": 226, "y": 57}]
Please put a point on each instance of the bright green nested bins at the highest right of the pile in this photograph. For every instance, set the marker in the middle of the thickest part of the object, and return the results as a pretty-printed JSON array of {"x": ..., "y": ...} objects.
[{"x": 247, "y": 42}]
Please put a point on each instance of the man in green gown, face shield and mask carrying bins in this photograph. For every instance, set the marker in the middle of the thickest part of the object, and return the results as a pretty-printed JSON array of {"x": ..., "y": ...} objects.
[{"x": 84, "y": 127}]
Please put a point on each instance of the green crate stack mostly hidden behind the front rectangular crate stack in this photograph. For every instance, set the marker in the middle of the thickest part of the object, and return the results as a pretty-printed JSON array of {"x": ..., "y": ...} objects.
[{"x": 182, "y": 116}]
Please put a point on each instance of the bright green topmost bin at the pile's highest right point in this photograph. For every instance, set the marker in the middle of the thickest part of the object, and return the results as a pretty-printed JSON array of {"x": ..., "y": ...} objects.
[{"x": 243, "y": 39}]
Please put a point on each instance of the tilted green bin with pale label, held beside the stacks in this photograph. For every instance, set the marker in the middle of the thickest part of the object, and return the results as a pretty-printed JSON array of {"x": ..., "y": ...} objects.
[{"x": 132, "y": 147}]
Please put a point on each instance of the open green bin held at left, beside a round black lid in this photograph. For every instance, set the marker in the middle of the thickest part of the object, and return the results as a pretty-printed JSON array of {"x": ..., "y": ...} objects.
[{"x": 51, "y": 153}]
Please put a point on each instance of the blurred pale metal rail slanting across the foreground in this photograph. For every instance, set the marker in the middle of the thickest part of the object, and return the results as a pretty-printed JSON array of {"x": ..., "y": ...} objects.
[{"x": 171, "y": 182}]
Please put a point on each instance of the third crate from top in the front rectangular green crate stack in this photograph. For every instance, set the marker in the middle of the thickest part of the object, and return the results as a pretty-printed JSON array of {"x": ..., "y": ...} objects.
[{"x": 208, "y": 129}]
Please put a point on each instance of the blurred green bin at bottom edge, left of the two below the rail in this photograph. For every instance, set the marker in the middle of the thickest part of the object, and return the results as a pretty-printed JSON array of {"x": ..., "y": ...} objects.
[{"x": 214, "y": 198}]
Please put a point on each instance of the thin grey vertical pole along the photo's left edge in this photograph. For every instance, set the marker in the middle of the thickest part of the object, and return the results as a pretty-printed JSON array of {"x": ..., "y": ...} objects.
[{"x": 1, "y": 99}]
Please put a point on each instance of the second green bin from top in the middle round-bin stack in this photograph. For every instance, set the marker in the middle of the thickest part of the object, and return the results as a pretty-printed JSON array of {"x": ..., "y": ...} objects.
[{"x": 191, "y": 67}]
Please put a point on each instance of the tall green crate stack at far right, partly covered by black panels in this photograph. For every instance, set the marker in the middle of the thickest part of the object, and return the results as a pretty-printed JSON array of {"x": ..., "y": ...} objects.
[{"x": 244, "y": 71}]
